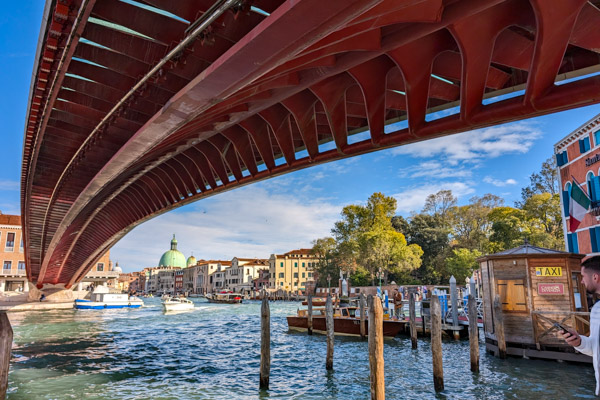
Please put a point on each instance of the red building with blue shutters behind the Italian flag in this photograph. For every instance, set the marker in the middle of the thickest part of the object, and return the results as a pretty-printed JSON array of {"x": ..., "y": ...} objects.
[{"x": 577, "y": 157}]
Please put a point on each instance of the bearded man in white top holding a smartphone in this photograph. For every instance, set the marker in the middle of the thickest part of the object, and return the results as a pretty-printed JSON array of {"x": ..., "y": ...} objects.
[{"x": 588, "y": 345}]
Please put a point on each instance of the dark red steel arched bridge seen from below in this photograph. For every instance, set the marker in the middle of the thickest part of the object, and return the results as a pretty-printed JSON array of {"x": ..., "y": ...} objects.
[{"x": 138, "y": 107}]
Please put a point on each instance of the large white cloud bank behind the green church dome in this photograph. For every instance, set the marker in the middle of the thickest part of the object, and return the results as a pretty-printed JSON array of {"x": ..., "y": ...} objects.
[{"x": 253, "y": 221}]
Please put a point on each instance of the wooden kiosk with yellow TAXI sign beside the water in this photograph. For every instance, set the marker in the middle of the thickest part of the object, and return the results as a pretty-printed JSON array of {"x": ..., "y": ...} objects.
[{"x": 536, "y": 287}]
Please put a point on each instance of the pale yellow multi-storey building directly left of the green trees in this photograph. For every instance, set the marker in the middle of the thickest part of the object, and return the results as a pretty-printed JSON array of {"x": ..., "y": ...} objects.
[{"x": 291, "y": 271}]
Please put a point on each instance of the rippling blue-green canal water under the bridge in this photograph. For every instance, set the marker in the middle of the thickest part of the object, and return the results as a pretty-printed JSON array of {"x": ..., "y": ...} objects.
[{"x": 213, "y": 352}]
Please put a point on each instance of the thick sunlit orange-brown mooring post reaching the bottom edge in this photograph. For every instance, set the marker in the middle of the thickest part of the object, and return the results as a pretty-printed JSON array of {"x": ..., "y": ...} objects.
[{"x": 376, "y": 362}]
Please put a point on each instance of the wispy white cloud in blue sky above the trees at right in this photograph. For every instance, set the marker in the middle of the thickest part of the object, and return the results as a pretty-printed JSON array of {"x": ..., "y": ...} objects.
[{"x": 478, "y": 144}]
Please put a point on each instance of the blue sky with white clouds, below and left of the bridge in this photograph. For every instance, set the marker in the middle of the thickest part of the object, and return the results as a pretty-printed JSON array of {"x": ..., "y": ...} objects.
[{"x": 290, "y": 211}]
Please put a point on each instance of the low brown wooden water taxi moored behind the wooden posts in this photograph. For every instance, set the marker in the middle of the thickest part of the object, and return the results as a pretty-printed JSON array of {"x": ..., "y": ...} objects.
[{"x": 346, "y": 322}]
